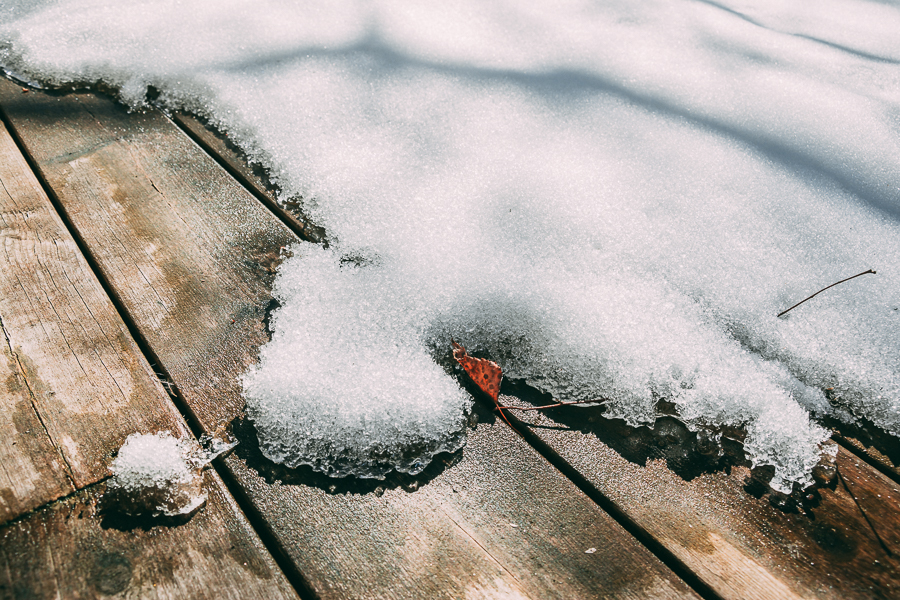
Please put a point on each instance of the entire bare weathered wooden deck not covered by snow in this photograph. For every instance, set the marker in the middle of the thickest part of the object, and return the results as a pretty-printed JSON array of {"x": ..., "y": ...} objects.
[{"x": 139, "y": 254}]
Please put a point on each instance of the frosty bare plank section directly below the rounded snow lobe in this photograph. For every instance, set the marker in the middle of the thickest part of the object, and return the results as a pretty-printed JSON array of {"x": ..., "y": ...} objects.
[{"x": 498, "y": 523}]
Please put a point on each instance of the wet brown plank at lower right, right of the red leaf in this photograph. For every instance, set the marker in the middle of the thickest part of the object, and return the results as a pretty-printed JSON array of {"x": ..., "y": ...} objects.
[{"x": 735, "y": 540}]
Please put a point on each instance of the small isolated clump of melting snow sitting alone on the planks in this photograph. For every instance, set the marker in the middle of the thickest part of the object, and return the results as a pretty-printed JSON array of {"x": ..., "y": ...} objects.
[{"x": 160, "y": 475}]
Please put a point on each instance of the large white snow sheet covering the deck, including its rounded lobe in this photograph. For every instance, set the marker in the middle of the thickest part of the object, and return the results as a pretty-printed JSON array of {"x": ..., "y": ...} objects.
[{"x": 609, "y": 199}]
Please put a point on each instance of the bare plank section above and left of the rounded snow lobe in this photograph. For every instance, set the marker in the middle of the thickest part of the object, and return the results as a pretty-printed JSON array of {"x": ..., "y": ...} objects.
[{"x": 117, "y": 183}]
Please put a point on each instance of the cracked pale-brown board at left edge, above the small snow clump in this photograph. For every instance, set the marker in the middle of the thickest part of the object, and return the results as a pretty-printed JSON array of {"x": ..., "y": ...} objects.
[{"x": 75, "y": 383}]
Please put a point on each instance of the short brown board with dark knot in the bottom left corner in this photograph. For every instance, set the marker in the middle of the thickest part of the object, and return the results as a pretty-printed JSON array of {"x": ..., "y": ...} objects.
[{"x": 72, "y": 549}]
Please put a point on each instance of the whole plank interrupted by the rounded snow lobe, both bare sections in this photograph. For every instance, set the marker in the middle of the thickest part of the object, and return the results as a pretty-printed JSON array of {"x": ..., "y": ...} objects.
[{"x": 184, "y": 246}]
